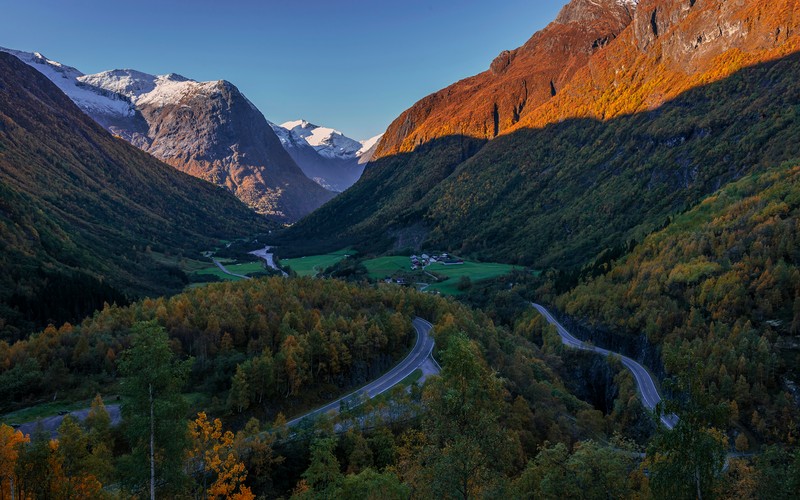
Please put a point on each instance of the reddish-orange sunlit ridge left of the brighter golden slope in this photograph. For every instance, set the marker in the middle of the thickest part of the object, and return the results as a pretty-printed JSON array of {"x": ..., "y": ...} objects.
[{"x": 517, "y": 82}]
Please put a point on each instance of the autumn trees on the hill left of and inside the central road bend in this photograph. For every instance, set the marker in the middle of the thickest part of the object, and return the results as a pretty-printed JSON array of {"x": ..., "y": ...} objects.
[{"x": 271, "y": 340}]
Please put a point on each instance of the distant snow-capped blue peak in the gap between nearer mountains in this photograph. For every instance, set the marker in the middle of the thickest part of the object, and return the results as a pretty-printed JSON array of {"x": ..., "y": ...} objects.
[{"x": 325, "y": 155}]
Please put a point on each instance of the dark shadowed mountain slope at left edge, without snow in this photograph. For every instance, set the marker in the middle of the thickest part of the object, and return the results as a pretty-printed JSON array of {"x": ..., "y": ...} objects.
[{"x": 84, "y": 215}]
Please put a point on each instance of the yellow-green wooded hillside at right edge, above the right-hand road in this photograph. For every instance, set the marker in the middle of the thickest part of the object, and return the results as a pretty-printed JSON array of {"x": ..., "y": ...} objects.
[{"x": 719, "y": 289}]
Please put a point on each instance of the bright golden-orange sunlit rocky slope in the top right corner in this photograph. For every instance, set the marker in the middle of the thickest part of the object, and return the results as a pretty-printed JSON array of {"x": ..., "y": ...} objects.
[{"x": 670, "y": 47}]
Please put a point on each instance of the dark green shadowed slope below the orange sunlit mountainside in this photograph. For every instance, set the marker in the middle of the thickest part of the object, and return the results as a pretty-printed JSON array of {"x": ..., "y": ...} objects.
[{"x": 569, "y": 193}]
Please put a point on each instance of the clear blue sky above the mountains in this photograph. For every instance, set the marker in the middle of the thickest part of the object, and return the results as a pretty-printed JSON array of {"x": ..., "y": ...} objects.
[{"x": 349, "y": 64}]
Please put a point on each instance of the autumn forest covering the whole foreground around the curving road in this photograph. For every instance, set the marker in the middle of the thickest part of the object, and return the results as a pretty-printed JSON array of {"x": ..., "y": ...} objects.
[{"x": 224, "y": 366}]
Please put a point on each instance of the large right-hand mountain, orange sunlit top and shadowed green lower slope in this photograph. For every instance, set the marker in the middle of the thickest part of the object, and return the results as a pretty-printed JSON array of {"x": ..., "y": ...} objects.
[{"x": 613, "y": 117}]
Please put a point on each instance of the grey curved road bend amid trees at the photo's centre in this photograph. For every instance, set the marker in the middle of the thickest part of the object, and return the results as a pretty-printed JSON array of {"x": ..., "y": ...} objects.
[{"x": 421, "y": 351}]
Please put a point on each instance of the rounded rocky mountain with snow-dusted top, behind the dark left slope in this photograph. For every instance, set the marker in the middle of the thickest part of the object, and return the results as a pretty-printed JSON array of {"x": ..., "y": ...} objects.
[{"x": 207, "y": 129}]
